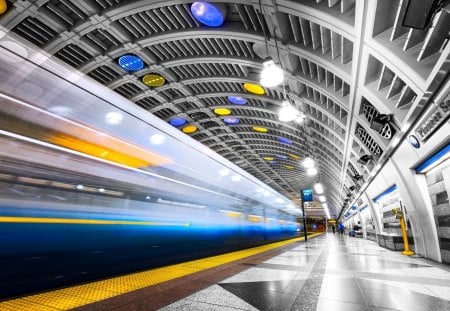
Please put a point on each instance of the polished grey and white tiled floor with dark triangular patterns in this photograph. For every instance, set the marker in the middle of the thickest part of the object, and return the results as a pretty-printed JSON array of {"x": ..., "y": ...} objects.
[{"x": 330, "y": 272}]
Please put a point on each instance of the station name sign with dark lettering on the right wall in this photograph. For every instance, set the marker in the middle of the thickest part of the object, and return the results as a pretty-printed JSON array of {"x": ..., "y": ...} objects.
[{"x": 433, "y": 120}]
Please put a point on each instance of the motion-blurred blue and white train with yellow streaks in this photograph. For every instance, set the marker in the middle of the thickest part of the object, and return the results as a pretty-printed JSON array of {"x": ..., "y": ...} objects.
[{"x": 84, "y": 196}]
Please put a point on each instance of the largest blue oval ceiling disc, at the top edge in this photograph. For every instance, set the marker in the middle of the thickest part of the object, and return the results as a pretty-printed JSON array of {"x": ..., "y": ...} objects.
[{"x": 212, "y": 15}]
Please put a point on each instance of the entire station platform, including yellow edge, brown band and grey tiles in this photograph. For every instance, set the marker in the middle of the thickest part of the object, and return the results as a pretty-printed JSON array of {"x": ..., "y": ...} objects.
[{"x": 329, "y": 272}]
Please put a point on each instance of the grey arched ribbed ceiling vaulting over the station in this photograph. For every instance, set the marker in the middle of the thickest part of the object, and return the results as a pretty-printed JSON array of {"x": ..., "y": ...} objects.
[{"x": 345, "y": 63}]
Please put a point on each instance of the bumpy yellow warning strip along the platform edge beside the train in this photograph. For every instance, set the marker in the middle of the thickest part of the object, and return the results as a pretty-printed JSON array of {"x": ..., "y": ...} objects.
[{"x": 80, "y": 295}]
